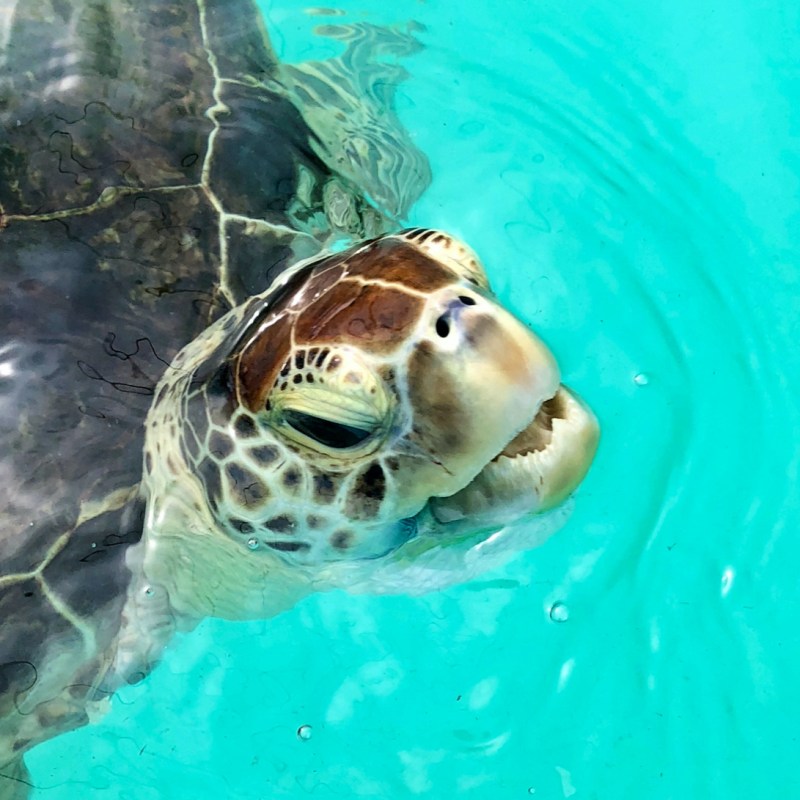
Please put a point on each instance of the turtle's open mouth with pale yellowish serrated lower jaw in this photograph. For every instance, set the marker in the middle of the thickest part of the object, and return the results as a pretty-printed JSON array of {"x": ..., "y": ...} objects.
[{"x": 535, "y": 472}]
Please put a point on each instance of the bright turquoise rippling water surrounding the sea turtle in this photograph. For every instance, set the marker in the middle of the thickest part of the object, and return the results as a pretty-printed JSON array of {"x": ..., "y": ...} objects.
[{"x": 628, "y": 171}]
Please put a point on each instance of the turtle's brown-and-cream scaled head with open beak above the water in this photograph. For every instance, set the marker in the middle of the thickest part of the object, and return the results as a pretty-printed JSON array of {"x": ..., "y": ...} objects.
[{"x": 373, "y": 398}]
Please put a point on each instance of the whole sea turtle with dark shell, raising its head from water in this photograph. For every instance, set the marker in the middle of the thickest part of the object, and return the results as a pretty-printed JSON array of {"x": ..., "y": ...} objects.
[{"x": 204, "y": 412}]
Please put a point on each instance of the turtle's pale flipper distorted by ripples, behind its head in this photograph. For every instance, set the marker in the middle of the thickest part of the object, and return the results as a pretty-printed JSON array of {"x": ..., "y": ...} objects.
[{"x": 349, "y": 103}]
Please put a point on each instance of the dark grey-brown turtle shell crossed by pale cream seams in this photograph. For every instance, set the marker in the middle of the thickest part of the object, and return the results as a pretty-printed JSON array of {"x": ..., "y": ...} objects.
[{"x": 154, "y": 171}]
